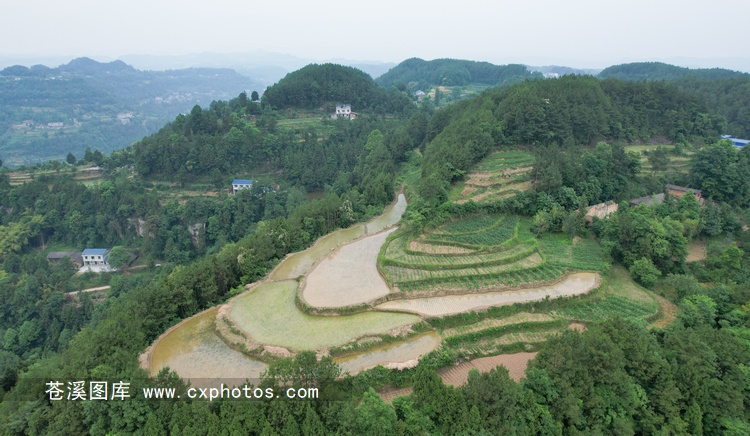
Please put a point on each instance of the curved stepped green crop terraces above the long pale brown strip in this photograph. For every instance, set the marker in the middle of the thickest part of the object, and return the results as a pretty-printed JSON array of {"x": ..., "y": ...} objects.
[{"x": 495, "y": 252}]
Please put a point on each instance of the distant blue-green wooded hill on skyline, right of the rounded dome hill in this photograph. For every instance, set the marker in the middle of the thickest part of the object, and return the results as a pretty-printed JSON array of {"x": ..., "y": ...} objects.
[{"x": 452, "y": 72}]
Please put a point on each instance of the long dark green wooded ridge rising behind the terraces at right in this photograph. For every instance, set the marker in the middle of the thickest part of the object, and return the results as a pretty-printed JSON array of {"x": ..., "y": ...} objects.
[{"x": 570, "y": 111}]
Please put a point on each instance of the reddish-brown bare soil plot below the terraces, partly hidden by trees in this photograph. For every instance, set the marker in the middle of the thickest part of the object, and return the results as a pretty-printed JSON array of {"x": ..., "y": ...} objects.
[{"x": 458, "y": 375}]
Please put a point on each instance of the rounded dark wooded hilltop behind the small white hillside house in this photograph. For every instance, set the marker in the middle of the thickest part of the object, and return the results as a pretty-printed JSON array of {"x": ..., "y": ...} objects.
[{"x": 323, "y": 86}]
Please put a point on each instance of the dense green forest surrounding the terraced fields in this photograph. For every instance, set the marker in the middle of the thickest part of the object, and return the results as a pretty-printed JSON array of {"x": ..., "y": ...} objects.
[{"x": 617, "y": 377}]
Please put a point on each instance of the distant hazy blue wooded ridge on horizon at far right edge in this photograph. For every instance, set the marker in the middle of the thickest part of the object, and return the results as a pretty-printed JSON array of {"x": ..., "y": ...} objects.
[{"x": 641, "y": 71}]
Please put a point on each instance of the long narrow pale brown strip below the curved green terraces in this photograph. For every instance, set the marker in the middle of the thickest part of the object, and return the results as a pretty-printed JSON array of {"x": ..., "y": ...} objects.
[{"x": 574, "y": 284}]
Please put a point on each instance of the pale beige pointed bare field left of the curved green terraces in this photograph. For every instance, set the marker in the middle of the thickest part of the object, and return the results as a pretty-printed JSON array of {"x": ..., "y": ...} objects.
[{"x": 349, "y": 276}]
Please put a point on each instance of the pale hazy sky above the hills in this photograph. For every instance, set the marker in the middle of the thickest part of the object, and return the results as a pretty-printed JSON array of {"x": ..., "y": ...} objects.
[{"x": 581, "y": 33}]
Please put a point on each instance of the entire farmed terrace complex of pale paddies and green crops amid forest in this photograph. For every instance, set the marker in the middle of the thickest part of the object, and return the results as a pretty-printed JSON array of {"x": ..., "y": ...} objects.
[{"x": 481, "y": 285}]
